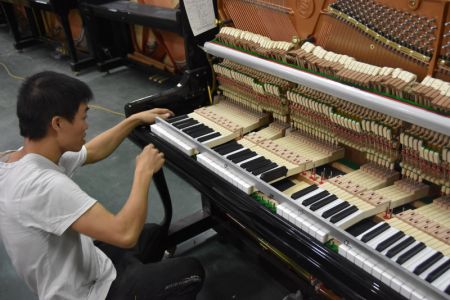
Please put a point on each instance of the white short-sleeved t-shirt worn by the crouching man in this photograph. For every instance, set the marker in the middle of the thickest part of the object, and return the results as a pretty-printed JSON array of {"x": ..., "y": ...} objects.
[{"x": 38, "y": 204}]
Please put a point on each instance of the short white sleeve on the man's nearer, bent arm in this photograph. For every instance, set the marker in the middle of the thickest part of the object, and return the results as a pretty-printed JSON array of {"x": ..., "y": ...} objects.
[{"x": 54, "y": 203}]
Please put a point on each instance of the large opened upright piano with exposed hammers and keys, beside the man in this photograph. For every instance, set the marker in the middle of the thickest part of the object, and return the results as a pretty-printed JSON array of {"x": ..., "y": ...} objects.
[{"x": 364, "y": 84}]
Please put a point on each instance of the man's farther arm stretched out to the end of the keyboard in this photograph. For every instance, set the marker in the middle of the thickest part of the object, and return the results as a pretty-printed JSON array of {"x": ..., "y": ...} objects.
[{"x": 105, "y": 143}]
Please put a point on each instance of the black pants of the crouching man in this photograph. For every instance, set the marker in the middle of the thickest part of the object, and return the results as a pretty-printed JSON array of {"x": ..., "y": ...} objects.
[{"x": 141, "y": 274}]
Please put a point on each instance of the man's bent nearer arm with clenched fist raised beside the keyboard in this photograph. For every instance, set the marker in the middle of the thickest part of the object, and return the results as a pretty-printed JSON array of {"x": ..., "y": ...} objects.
[{"x": 123, "y": 229}]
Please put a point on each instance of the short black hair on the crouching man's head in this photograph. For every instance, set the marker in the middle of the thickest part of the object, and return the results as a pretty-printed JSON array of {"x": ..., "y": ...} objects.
[{"x": 46, "y": 95}]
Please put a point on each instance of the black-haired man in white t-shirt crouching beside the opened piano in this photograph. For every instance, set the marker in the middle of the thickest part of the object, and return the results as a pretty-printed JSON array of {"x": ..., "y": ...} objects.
[{"x": 47, "y": 223}]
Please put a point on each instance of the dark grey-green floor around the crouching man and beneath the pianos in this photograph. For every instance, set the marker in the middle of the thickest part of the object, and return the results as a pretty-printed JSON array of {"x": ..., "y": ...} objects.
[{"x": 230, "y": 273}]
